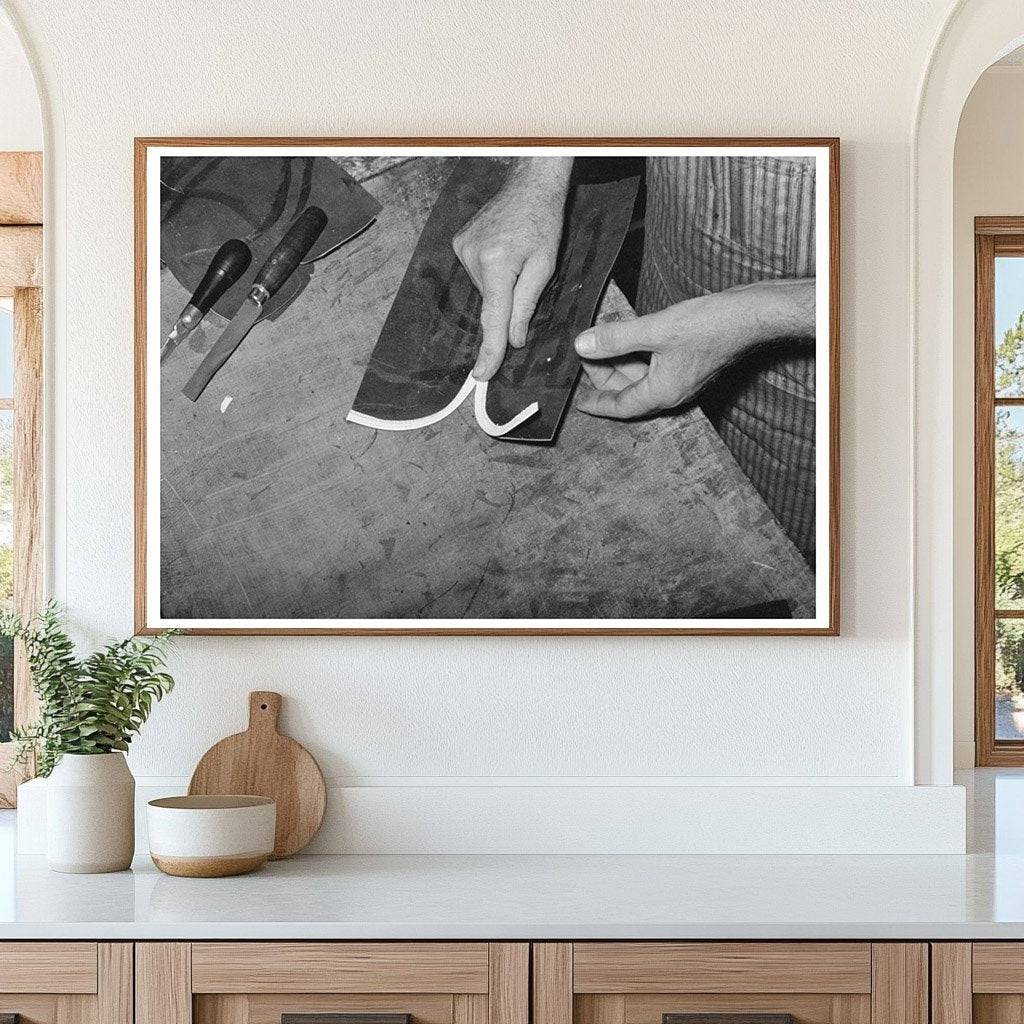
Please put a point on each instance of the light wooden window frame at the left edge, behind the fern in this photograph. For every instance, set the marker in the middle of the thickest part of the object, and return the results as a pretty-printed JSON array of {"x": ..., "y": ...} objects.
[{"x": 21, "y": 278}]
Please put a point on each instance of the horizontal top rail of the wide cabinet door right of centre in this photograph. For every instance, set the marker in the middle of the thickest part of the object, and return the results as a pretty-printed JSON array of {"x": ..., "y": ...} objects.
[{"x": 722, "y": 967}]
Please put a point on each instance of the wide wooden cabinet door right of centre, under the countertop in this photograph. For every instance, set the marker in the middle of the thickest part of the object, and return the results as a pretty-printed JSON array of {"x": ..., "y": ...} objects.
[{"x": 751, "y": 983}]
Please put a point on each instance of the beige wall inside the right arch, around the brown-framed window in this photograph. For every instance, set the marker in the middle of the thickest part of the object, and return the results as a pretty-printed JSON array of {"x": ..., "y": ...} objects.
[{"x": 989, "y": 182}]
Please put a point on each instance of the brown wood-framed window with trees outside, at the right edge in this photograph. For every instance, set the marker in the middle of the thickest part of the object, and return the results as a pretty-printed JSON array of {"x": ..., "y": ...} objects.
[{"x": 1000, "y": 491}]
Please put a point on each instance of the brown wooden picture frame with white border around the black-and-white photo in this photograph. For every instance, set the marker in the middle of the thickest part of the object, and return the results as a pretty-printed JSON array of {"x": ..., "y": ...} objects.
[{"x": 148, "y": 612}]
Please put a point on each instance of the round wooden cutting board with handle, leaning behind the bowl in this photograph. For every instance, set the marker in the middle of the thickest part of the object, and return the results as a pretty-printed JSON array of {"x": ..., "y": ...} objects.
[{"x": 261, "y": 762}]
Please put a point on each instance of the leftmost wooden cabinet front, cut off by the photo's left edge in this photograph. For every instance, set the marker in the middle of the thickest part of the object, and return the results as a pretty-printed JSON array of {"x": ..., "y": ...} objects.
[{"x": 67, "y": 983}]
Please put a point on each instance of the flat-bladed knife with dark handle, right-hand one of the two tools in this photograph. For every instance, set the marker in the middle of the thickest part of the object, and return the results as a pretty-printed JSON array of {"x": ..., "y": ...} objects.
[{"x": 281, "y": 265}]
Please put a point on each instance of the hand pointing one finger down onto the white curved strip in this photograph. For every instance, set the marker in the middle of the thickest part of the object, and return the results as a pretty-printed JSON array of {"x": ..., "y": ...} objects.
[{"x": 509, "y": 250}]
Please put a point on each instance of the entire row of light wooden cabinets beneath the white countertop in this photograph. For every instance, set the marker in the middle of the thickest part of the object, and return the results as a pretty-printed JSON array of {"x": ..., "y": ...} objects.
[{"x": 511, "y": 983}]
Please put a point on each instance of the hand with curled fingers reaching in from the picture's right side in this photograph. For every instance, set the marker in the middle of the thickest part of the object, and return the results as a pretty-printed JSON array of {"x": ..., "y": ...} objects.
[{"x": 685, "y": 347}]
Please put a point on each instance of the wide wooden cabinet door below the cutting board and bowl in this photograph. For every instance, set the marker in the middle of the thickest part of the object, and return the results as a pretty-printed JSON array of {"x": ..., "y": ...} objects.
[{"x": 304, "y": 983}]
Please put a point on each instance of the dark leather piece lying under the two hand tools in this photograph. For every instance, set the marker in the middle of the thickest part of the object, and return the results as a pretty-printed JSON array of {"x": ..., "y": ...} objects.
[{"x": 204, "y": 201}]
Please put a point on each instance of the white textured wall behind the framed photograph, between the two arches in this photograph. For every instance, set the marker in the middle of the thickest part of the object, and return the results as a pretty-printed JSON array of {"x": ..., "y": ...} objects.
[{"x": 447, "y": 712}]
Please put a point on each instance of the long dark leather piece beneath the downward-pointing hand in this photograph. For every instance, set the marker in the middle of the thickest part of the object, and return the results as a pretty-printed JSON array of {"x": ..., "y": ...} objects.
[{"x": 432, "y": 336}]
